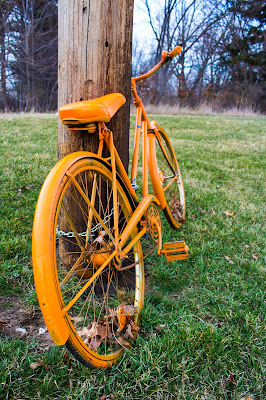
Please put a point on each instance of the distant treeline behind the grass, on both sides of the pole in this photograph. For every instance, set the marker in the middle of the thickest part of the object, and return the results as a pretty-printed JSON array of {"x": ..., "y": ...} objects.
[{"x": 223, "y": 61}]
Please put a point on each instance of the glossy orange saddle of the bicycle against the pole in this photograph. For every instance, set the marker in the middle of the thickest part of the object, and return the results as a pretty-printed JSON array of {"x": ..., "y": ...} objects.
[{"x": 100, "y": 109}]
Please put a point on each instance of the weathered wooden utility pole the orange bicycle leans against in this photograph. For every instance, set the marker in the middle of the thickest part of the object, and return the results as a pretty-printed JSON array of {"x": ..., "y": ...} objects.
[{"x": 95, "y": 47}]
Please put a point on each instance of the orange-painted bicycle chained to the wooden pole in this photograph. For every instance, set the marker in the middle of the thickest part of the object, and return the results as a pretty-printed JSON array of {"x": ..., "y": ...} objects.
[{"x": 88, "y": 225}]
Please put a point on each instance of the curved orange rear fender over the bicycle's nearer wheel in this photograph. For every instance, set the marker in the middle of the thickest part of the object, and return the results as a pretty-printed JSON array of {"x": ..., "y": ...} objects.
[{"x": 43, "y": 248}]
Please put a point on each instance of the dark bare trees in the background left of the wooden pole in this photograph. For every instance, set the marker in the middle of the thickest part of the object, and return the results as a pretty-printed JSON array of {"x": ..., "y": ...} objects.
[{"x": 28, "y": 55}]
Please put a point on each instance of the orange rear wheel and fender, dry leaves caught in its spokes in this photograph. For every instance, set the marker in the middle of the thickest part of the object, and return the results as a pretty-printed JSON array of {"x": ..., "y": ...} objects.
[{"x": 100, "y": 307}]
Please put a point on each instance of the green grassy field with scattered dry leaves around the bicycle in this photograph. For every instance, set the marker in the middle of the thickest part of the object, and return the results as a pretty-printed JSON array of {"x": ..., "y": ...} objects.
[{"x": 203, "y": 330}]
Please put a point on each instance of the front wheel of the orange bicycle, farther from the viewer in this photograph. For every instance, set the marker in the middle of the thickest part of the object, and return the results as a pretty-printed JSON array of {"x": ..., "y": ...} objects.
[{"x": 166, "y": 177}]
